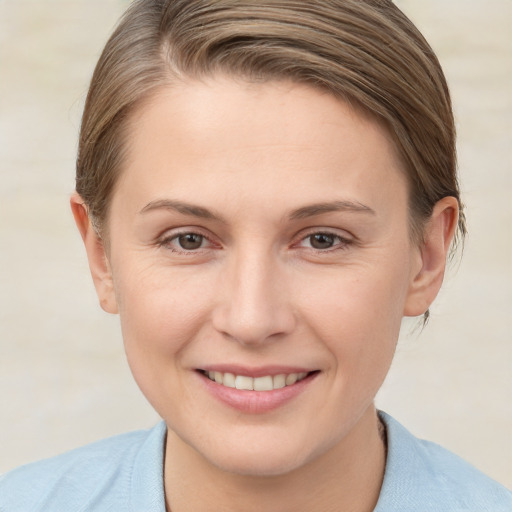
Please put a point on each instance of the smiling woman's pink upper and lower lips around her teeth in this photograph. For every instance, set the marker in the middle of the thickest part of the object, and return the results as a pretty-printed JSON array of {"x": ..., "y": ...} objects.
[{"x": 256, "y": 402}]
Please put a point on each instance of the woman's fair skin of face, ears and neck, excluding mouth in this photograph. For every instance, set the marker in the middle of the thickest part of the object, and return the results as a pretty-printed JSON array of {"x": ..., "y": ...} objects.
[{"x": 257, "y": 291}]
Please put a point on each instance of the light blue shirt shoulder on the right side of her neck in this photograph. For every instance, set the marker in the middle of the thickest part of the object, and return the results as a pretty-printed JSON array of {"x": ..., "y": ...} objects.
[{"x": 421, "y": 475}]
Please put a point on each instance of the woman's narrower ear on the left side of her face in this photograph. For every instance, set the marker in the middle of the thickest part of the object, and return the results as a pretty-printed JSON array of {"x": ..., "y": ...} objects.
[{"x": 98, "y": 261}]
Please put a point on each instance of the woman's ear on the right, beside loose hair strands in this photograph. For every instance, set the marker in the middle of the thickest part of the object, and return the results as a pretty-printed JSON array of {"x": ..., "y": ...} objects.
[{"x": 432, "y": 254}]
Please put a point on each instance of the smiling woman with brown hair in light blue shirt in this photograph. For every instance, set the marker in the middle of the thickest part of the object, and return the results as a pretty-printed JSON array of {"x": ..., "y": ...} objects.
[{"x": 264, "y": 190}]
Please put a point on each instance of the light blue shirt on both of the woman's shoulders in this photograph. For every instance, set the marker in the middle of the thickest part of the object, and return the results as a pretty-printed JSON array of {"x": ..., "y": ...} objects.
[{"x": 125, "y": 473}]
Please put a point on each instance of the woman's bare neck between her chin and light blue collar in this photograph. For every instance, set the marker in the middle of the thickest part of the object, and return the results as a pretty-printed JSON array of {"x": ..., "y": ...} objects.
[{"x": 347, "y": 477}]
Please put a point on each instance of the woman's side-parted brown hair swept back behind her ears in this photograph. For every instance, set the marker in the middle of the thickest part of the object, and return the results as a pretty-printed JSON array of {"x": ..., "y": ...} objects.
[{"x": 366, "y": 52}]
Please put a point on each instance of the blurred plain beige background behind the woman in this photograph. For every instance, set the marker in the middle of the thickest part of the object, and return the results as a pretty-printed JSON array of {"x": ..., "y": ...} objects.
[{"x": 63, "y": 377}]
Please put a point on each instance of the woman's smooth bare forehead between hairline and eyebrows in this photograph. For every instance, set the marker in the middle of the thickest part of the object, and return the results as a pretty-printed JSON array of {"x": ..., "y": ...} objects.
[{"x": 232, "y": 136}]
